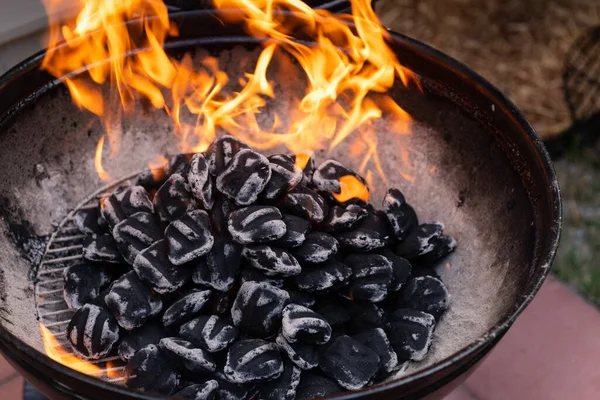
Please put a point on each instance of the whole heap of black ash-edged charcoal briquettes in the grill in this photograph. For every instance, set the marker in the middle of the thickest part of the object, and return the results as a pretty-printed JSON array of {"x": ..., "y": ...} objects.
[{"x": 231, "y": 275}]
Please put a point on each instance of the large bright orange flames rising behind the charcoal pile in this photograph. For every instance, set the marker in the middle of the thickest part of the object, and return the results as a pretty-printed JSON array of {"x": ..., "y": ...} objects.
[{"x": 347, "y": 70}]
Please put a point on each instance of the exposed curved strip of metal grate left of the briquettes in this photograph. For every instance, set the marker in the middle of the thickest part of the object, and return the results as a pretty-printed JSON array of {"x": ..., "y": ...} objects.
[{"x": 64, "y": 250}]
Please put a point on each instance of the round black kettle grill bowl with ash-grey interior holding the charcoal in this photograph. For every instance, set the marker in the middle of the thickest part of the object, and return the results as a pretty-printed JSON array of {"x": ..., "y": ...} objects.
[{"x": 478, "y": 166}]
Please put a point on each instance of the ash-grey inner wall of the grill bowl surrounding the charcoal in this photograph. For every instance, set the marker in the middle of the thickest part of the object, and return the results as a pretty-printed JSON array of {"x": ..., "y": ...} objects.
[{"x": 46, "y": 168}]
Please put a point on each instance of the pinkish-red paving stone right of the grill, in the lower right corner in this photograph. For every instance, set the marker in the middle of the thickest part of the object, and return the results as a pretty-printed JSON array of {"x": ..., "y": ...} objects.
[{"x": 550, "y": 353}]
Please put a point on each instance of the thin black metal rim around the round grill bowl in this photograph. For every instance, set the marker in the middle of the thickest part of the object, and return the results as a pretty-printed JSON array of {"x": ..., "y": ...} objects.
[{"x": 463, "y": 356}]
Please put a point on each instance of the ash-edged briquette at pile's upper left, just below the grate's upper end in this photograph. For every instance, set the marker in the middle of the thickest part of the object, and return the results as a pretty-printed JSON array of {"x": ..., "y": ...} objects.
[{"x": 125, "y": 202}]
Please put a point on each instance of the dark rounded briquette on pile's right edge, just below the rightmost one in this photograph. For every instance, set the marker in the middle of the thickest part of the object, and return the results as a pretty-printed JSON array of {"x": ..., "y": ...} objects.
[{"x": 427, "y": 294}]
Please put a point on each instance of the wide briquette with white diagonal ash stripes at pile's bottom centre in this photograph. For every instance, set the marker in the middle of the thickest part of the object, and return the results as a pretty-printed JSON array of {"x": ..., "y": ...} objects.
[{"x": 253, "y": 360}]
